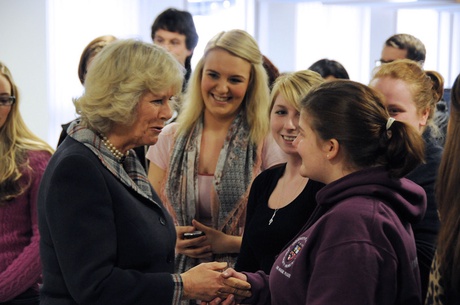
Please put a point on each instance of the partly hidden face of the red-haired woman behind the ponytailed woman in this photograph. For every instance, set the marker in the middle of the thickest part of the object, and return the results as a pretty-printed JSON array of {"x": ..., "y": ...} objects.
[{"x": 399, "y": 102}]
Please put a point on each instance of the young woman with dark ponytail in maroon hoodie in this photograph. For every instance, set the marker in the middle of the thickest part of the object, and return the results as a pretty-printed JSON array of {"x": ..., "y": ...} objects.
[{"x": 358, "y": 247}]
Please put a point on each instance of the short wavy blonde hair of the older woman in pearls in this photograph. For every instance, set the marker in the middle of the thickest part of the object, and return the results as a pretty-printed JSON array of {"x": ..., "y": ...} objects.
[{"x": 118, "y": 77}]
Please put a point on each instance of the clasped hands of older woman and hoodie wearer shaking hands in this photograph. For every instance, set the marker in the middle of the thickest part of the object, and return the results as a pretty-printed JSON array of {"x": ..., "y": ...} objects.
[{"x": 214, "y": 284}]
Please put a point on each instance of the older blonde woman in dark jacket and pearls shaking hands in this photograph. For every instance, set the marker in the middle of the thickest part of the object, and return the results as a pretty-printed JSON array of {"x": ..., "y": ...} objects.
[{"x": 106, "y": 237}]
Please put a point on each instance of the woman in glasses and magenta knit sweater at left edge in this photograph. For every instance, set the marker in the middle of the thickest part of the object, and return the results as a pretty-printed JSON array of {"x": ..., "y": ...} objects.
[{"x": 23, "y": 158}]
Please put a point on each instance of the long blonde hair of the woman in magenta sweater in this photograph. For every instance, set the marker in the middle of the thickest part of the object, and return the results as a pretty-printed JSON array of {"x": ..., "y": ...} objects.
[{"x": 16, "y": 139}]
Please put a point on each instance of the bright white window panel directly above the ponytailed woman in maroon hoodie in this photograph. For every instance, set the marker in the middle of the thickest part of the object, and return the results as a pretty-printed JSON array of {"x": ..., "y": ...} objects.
[{"x": 335, "y": 32}]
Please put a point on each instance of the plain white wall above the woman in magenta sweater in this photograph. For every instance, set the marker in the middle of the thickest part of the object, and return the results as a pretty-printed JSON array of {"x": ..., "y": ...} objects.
[{"x": 23, "y": 48}]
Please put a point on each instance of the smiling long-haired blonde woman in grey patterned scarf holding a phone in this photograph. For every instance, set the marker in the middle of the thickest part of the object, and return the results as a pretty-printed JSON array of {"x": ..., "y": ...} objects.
[{"x": 204, "y": 164}]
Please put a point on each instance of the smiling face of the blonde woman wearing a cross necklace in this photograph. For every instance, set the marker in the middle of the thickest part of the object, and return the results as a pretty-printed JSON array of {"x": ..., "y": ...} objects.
[{"x": 284, "y": 123}]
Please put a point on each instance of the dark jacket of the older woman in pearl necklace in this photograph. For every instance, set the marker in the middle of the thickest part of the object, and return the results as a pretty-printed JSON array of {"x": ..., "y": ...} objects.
[{"x": 102, "y": 242}]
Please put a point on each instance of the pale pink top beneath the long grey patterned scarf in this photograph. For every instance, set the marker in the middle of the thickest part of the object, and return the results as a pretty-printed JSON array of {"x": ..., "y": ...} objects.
[{"x": 160, "y": 154}]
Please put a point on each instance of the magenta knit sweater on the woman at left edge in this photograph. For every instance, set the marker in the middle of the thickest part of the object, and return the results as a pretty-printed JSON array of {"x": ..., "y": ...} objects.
[{"x": 20, "y": 267}]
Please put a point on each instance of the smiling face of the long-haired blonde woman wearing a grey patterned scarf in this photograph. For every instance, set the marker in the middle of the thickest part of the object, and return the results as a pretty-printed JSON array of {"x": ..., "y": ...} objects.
[{"x": 224, "y": 82}]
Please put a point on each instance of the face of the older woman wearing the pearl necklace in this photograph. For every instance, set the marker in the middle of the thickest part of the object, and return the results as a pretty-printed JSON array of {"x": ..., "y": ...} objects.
[{"x": 153, "y": 111}]
